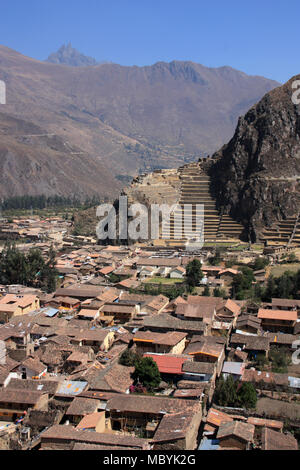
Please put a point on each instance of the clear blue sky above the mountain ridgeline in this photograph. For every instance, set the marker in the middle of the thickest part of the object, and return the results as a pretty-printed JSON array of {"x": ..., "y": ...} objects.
[{"x": 257, "y": 37}]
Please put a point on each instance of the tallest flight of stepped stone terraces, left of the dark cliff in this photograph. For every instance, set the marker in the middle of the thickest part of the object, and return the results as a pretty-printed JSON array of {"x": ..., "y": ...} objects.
[{"x": 195, "y": 190}]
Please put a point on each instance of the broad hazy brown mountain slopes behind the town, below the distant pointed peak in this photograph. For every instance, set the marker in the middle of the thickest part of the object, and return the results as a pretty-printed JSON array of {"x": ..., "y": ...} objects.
[{"x": 122, "y": 120}]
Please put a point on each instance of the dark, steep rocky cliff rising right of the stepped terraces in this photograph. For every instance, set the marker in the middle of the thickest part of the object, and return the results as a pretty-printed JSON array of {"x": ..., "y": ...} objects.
[{"x": 256, "y": 176}]
